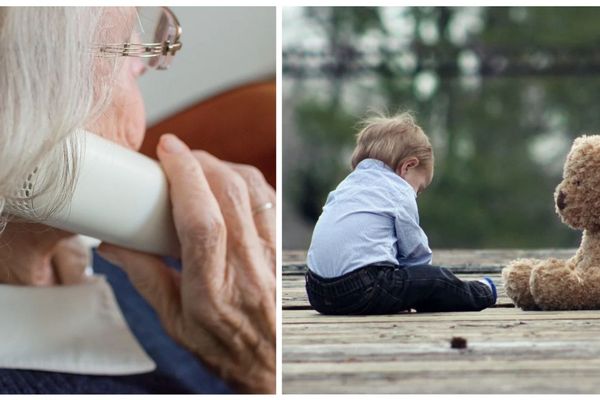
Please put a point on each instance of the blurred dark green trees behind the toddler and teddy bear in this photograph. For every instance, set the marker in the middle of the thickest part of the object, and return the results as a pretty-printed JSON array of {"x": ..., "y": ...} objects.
[{"x": 501, "y": 91}]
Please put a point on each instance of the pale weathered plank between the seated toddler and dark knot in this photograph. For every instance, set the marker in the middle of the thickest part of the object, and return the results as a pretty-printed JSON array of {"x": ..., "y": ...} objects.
[{"x": 436, "y": 334}]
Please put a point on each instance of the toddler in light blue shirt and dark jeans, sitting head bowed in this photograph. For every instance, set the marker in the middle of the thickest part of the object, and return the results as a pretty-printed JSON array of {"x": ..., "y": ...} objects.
[{"x": 368, "y": 254}]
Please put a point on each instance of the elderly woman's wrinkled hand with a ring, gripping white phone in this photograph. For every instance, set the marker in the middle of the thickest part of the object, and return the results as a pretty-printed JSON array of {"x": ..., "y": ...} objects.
[{"x": 222, "y": 304}]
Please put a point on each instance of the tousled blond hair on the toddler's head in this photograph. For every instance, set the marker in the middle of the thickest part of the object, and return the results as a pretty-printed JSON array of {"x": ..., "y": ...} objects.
[{"x": 392, "y": 139}]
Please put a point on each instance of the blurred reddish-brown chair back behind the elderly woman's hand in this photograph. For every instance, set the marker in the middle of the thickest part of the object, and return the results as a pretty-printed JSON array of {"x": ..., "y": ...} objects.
[{"x": 237, "y": 125}]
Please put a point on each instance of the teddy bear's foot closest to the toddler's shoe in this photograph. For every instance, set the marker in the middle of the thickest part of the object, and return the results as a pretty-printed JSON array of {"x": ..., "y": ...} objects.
[{"x": 516, "y": 277}]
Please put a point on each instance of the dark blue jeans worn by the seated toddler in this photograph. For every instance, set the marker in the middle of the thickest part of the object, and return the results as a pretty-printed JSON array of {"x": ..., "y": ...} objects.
[{"x": 387, "y": 289}]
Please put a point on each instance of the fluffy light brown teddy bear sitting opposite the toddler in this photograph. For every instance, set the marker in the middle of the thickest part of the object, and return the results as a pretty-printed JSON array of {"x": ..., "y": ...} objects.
[{"x": 572, "y": 284}]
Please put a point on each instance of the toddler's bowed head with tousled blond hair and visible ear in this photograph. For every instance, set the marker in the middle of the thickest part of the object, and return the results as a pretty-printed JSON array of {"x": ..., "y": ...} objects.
[{"x": 400, "y": 143}]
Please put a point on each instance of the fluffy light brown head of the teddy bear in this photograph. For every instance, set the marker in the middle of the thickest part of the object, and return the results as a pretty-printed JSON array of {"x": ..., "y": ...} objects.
[{"x": 577, "y": 197}]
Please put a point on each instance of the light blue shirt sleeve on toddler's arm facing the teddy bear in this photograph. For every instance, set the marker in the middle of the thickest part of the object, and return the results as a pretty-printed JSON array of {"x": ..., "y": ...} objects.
[{"x": 413, "y": 245}]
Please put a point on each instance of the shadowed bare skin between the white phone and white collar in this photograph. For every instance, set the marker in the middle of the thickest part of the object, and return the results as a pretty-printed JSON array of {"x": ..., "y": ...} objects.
[{"x": 38, "y": 255}]
